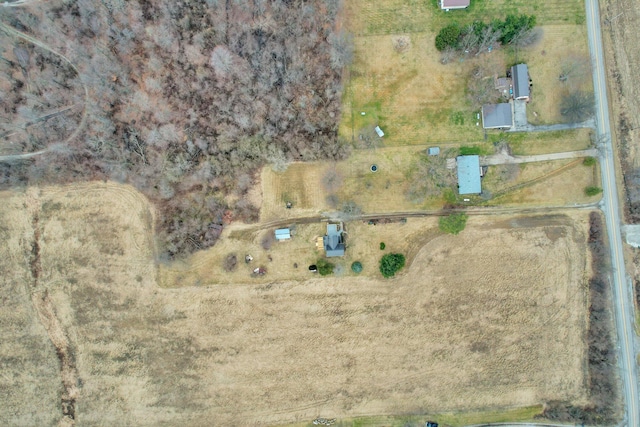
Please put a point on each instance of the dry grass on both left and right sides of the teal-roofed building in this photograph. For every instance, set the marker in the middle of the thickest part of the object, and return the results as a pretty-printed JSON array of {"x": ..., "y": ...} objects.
[{"x": 387, "y": 189}]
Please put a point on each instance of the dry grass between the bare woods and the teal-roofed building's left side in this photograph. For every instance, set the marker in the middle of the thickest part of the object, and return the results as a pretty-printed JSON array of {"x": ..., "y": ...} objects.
[{"x": 382, "y": 191}]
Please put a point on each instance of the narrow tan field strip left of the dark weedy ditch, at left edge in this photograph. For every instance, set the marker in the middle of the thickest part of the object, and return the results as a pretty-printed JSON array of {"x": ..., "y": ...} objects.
[{"x": 30, "y": 381}]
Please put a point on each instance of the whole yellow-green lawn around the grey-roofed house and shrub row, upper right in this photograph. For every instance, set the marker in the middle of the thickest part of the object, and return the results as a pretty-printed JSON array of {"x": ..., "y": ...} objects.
[{"x": 415, "y": 98}]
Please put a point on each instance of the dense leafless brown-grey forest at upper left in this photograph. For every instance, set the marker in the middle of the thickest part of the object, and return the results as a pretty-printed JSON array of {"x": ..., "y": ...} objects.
[{"x": 183, "y": 99}]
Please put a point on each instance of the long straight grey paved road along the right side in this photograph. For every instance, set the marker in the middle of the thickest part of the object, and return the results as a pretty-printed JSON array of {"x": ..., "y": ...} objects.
[{"x": 622, "y": 291}]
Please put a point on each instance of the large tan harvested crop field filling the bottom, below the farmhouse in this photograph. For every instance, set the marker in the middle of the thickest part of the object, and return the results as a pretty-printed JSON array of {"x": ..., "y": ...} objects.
[{"x": 494, "y": 317}]
